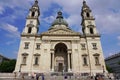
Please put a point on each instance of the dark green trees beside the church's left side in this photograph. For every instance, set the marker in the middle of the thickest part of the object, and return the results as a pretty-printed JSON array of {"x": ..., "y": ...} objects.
[{"x": 7, "y": 66}]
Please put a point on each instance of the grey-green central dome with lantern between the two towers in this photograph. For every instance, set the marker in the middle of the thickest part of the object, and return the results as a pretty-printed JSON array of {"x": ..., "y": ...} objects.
[{"x": 59, "y": 20}]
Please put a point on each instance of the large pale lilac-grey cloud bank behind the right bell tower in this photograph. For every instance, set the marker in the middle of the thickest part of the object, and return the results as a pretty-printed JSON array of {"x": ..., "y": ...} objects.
[{"x": 106, "y": 14}]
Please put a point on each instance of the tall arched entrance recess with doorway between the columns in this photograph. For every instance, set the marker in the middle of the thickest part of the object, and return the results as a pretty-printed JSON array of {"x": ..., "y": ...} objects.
[{"x": 61, "y": 60}]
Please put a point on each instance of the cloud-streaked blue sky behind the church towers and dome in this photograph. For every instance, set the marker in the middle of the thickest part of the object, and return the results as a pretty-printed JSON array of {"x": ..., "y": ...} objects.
[{"x": 13, "y": 16}]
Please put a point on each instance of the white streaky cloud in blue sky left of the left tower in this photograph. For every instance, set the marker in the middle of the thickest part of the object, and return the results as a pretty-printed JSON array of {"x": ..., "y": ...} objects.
[{"x": 12, "y": 30}]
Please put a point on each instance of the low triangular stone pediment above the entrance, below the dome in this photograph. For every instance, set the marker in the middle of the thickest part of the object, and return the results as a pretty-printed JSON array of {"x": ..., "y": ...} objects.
[{"x": 60, "y": 32}]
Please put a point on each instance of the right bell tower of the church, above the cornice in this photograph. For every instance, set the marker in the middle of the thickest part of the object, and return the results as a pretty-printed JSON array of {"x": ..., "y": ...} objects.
[{"x": 88, "y": 21}]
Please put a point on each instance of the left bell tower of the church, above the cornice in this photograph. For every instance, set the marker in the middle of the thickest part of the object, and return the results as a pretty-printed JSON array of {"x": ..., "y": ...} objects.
[{"x": 32, "y": 20}]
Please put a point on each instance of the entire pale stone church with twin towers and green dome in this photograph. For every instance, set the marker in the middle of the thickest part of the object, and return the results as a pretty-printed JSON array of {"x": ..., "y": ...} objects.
[{"x": 60, "y": 49}]
